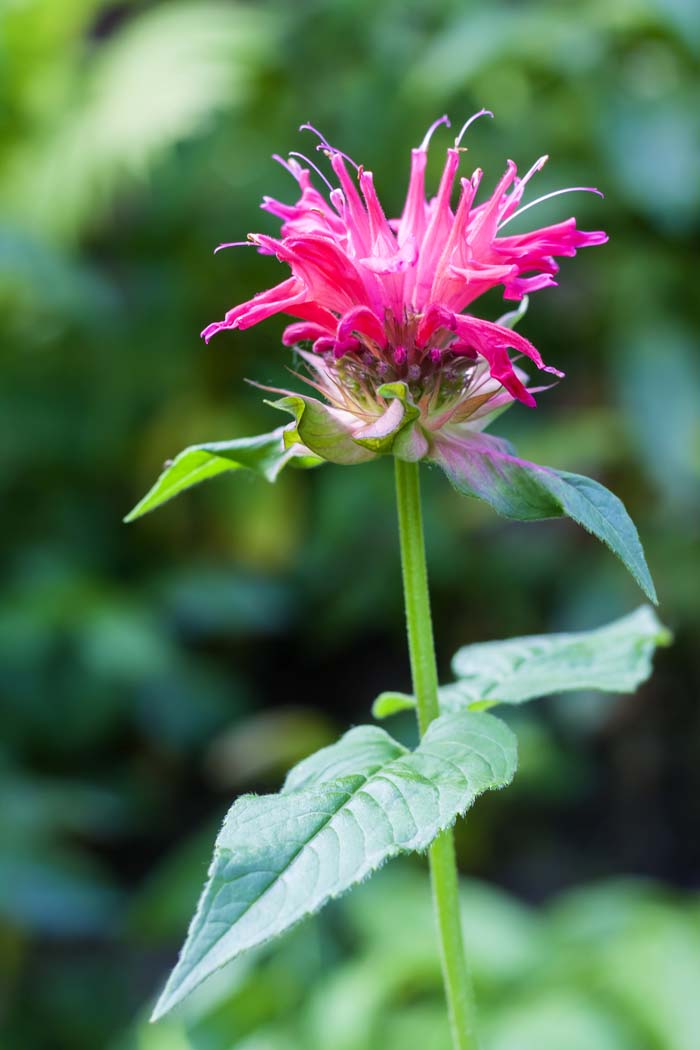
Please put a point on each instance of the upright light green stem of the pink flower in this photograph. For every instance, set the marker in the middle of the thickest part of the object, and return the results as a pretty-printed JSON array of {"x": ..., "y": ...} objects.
[{"x": 425, "y": 674}]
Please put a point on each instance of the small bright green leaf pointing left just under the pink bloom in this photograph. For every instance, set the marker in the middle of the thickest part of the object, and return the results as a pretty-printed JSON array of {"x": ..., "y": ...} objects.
[{"x": 265, "y": 455}]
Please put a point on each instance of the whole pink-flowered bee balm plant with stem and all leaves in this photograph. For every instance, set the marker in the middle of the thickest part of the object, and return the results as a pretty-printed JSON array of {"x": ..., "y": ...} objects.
[{"x": 383, "y": 335}]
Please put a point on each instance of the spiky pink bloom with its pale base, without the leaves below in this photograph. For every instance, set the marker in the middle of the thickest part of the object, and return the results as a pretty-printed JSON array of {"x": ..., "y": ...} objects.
[{"x": 384, "y": 301}]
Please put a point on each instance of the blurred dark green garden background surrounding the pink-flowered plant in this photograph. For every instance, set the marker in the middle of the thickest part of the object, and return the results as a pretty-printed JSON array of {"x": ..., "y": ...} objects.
[{"x": 151, "y": 674}]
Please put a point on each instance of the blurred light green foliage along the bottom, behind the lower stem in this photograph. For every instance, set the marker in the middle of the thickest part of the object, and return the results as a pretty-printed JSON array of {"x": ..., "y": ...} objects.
[{"x": 609, "y": 965}]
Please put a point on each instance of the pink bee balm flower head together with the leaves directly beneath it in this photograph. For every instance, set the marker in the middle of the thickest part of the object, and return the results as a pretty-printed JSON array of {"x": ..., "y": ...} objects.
[{"x": 384, "y": 325}]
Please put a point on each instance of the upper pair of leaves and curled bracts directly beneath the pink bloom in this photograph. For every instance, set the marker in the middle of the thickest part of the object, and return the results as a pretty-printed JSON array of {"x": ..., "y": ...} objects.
[{"x": 477, "y": 466}]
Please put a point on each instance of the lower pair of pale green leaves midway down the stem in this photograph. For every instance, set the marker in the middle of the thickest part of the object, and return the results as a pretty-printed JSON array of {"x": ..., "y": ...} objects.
[{"x": 351, "y": 807}]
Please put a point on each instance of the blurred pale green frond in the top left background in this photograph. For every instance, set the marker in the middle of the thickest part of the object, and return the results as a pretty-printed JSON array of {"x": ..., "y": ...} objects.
[{"x": 154, "y": 85}]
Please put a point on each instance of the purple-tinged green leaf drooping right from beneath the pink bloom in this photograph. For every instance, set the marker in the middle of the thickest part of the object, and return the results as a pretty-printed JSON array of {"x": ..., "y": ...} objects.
[{"x": 485, "y": 468}]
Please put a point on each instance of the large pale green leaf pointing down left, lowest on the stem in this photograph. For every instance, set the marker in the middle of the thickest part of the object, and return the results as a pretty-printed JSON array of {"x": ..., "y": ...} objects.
[{"x": 341, "y": 815}]
